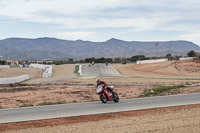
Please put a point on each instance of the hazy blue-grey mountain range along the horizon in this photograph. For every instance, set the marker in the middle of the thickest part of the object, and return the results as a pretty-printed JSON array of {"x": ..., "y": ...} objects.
[{"x": 57, "y": 49}]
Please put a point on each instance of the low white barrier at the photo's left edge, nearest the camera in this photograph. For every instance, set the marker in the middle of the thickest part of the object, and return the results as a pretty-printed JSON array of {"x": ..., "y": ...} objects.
[{"x": 14, "y": 79}]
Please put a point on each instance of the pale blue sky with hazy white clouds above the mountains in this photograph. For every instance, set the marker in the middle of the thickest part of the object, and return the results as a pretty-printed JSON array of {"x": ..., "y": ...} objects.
[{"x": 100, "y": 20}]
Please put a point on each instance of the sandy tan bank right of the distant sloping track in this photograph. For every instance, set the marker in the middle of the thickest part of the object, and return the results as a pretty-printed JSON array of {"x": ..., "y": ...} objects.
[{"x": 165, "y": 69}]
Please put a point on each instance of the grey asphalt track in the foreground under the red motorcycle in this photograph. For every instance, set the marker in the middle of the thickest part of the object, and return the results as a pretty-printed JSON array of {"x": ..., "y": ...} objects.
[{"x": 78, "y": 109}]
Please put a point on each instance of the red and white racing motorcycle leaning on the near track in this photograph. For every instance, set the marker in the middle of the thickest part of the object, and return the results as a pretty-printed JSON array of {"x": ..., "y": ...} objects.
[{"x": 105, "y": 95}]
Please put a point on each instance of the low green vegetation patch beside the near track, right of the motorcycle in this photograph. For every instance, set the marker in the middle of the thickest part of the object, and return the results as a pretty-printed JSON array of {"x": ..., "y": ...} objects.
[{"x": 160, "y": 89}]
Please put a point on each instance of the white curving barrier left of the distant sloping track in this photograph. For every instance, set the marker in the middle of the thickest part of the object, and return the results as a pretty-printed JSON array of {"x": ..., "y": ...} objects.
[{"x": 47, "y": 69}]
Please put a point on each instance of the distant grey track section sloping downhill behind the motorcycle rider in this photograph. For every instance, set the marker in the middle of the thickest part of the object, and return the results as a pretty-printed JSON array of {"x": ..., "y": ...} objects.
[{"x": 99, "y": 70}]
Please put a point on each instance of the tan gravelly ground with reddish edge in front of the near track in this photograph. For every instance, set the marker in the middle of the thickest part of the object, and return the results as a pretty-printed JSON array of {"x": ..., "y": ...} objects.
[{"x": 181, "y": 119}]
